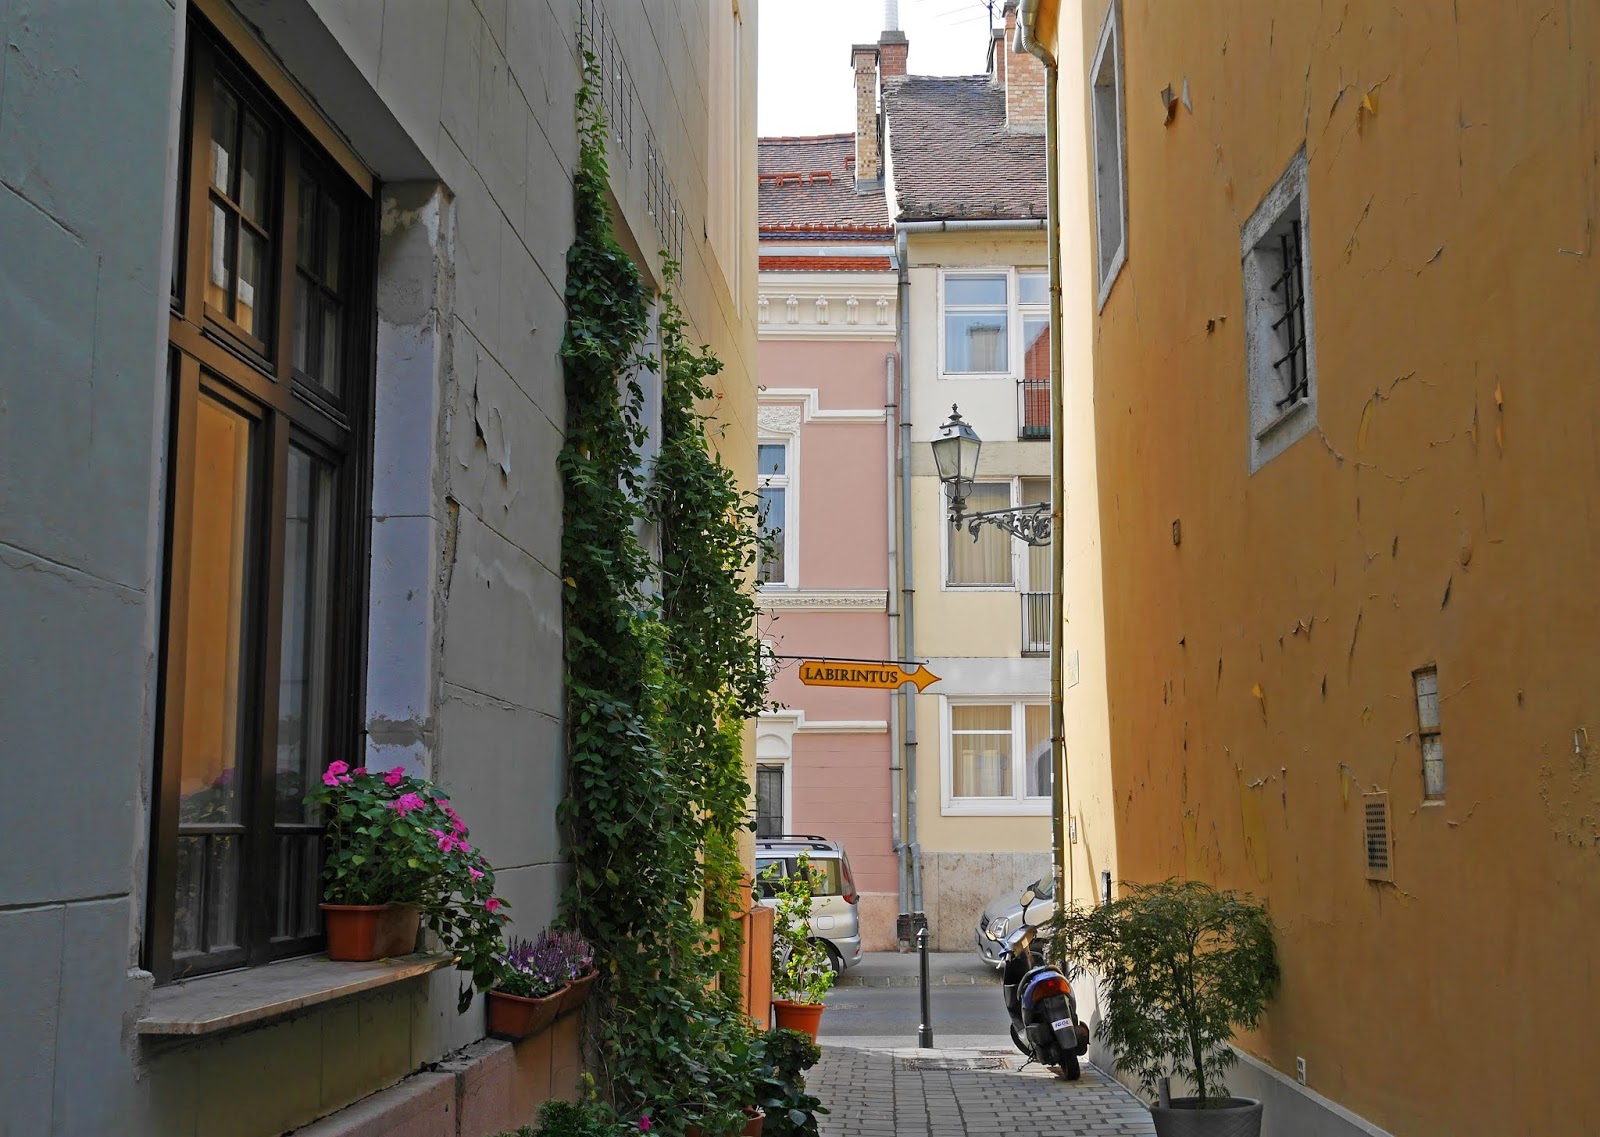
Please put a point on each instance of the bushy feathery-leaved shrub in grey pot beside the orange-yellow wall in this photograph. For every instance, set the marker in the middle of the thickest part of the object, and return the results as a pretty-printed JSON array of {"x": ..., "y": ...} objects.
[{"x": 1183, "y": 967}]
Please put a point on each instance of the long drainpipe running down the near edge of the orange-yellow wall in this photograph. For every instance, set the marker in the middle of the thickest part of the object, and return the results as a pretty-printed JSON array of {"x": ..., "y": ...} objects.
[{"x": 1060, "y": 788}]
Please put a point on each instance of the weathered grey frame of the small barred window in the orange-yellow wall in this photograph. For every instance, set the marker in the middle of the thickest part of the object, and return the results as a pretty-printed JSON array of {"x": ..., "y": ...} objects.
[{"x": 1274, "y": 431}]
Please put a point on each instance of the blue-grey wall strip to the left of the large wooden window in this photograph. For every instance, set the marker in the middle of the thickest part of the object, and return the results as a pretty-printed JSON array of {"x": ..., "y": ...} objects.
[{"x": 81, "y": 404}]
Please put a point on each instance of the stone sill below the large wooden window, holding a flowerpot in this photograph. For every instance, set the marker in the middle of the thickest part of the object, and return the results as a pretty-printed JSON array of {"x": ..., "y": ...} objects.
[{"x": 241, "y": 999}]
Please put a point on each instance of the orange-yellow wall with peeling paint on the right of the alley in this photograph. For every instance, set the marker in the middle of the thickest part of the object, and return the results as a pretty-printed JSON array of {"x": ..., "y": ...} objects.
[{"x": 1442, "y": 513}]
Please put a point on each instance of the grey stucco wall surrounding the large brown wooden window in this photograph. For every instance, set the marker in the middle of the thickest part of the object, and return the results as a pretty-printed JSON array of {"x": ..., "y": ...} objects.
[{"x": 465, "y": 113}]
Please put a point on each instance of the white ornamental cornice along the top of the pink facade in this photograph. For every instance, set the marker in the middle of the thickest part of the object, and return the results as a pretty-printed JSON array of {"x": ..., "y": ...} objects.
[{"x": 826, "y": 306}]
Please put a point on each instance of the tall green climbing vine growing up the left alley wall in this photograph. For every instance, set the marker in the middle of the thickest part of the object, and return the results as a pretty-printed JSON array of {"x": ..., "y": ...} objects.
[{"x": 663, "y": 672}]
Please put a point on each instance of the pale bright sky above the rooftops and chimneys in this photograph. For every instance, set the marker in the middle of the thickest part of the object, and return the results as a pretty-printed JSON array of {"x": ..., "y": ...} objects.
[{"x": 806, "y": 82}]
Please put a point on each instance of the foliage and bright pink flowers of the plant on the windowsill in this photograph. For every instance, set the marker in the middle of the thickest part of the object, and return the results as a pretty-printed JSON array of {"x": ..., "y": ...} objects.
[{"x": 394, "y": 839}]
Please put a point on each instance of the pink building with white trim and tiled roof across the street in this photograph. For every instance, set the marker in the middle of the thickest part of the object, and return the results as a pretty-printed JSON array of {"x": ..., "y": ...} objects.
[{"x": 826, "y": 322}]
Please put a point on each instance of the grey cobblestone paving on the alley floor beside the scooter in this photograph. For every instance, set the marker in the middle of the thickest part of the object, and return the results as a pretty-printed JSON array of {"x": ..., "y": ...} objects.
[{"x": 966, "y": 1095}]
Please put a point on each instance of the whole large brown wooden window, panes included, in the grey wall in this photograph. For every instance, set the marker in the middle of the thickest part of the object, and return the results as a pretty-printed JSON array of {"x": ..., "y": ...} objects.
[{"x": 271, "y": 434}]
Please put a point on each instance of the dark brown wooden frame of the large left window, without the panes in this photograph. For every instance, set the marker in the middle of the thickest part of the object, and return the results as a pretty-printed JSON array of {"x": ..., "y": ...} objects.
[{"x": 257, "y": 377}]
